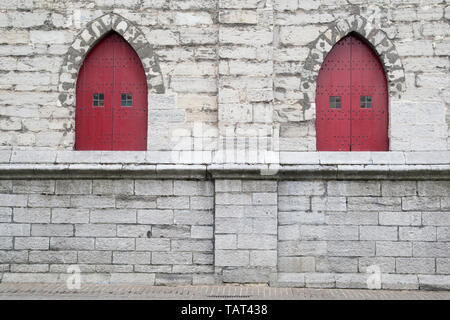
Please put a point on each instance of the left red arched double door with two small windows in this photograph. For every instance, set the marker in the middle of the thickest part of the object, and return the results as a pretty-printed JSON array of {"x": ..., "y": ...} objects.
[{"x": 111, "y": 112}]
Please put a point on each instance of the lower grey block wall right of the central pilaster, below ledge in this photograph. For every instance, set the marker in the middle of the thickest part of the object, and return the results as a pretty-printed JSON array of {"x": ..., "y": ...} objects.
[{"x": 331, "y": 232}]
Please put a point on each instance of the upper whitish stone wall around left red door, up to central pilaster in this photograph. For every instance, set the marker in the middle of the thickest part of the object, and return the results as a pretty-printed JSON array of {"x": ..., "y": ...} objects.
[{"x": 46, "y": 41}]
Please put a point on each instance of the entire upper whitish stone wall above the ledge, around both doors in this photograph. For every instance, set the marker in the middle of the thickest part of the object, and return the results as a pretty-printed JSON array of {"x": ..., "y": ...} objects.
[{"x": 217, "y": 69}]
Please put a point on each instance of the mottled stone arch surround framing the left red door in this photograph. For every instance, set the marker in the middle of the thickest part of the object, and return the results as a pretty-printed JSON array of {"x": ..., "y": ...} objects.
[{"x": 87, "y": 39}]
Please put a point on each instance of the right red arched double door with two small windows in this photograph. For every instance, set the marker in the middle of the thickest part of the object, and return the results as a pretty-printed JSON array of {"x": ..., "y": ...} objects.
[{"x": 352, "y": 99}]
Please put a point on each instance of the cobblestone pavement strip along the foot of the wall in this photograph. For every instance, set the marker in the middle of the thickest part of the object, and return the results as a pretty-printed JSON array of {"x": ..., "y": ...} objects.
[{"x": 138, "y": 292}]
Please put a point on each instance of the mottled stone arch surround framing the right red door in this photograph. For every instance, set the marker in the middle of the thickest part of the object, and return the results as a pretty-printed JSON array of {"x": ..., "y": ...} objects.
[{"x": 376, "y": 38}]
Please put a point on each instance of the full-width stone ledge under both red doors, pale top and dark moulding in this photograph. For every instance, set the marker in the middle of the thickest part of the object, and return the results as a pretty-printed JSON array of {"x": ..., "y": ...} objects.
[{"x": 22, "y": 164}]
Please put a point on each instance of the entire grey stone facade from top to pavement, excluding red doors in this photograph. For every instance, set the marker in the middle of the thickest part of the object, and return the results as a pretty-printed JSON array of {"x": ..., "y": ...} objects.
[{"x": 231, "y": 188}]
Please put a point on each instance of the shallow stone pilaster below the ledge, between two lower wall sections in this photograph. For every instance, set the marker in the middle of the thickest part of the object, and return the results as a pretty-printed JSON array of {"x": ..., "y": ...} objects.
[{"x": 245, "y": 233}]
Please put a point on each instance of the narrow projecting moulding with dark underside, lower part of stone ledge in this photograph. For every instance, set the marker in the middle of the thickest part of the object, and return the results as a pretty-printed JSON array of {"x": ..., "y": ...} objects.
[{"x": 220, "y": 171}]
